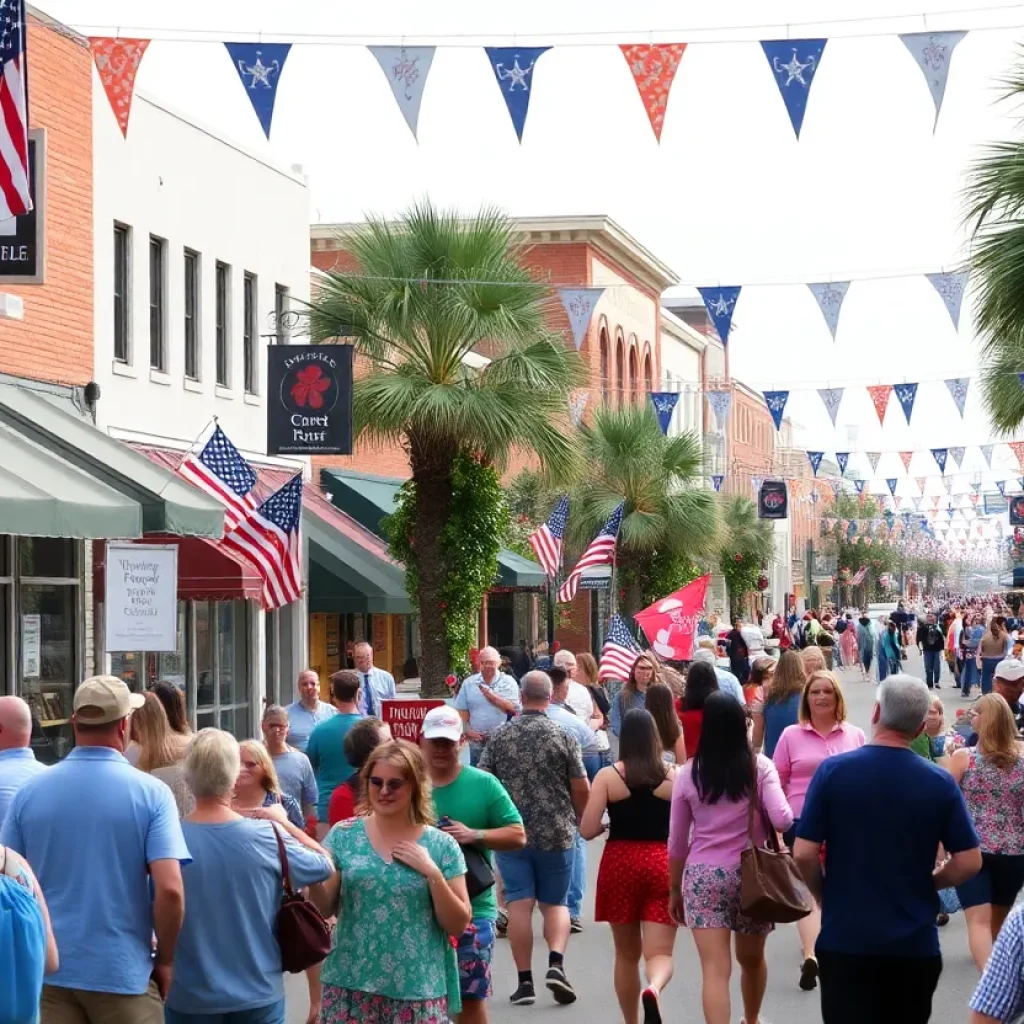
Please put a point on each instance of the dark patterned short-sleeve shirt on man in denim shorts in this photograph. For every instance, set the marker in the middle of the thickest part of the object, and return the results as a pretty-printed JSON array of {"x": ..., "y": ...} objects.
[{"x": 536, "y": 761}]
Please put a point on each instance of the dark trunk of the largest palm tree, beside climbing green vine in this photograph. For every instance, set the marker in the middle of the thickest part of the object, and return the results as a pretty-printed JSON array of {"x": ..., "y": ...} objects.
[{"x": 433, "y": 474}]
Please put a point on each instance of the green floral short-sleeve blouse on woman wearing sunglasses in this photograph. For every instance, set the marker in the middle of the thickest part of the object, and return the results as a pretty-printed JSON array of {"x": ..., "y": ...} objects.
[{"x": 388, "y": 941}]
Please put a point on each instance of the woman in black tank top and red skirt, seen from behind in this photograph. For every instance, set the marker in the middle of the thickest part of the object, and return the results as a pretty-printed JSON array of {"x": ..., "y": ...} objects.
[{"x": 633, "y": 880}]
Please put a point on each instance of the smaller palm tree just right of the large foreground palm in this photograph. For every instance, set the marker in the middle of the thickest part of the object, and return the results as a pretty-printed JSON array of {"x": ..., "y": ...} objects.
[{"x": 668, "y": 522}]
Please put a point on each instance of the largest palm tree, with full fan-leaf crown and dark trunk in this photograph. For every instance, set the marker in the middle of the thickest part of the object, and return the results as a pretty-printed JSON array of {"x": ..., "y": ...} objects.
[{"x": 431, "y": 290}]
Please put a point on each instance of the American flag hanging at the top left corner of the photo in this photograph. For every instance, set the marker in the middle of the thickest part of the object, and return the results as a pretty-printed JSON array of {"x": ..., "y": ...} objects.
[{"x": 16, "y": 196}]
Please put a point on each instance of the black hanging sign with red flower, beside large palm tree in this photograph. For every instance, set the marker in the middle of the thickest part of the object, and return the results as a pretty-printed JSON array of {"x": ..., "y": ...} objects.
[{"x": 310, "y": 400}]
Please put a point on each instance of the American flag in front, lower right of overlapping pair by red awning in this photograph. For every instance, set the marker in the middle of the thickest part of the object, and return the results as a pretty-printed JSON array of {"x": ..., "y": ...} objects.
[{"x": 271, "y": 540}]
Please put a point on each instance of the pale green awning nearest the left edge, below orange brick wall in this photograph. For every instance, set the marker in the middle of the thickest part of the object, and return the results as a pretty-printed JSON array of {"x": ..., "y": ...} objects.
[{"x": 41, "y": 495}]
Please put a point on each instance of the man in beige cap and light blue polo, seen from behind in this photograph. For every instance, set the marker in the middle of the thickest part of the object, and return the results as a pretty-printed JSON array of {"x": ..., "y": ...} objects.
[{"x": 97, "y": 832}]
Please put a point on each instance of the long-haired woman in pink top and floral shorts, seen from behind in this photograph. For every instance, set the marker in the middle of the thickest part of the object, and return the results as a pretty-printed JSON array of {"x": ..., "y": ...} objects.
[{"x": 712, "y": 795}]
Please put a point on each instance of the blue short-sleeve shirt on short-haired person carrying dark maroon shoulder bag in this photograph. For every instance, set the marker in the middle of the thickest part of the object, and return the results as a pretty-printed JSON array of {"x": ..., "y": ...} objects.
[{"x": 228, "y": 959}]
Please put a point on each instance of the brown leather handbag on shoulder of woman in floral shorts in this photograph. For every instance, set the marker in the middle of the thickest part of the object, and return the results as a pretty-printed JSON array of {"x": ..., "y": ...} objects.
[{"x": 772, "y": 889}]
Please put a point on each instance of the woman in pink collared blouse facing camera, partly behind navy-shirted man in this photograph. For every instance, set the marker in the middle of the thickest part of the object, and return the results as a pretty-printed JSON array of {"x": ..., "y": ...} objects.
[{"x": 822, "y": 732}]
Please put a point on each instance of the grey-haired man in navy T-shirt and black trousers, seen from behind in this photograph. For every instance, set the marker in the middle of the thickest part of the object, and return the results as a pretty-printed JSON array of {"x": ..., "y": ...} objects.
[{"x": 882, "y": 814}]
